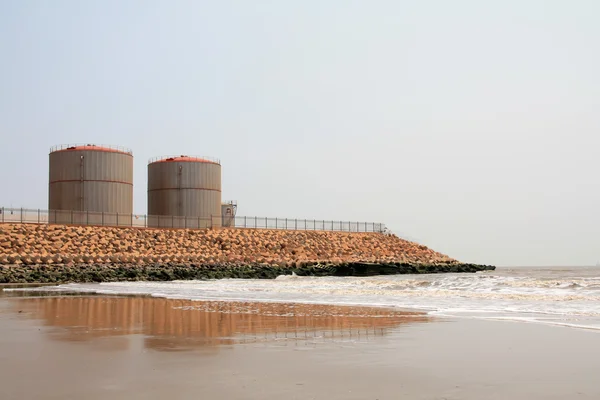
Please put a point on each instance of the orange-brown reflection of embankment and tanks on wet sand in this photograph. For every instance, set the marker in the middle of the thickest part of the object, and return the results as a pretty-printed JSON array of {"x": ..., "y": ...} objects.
[{"x": 182, "y": 324}]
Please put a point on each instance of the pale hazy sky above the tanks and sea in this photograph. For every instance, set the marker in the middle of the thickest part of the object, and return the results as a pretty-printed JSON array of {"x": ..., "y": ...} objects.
[{"x": 470, "y": 126}]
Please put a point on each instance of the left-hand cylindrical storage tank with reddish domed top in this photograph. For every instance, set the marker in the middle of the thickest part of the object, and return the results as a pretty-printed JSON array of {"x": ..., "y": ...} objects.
[{"x": 90, "y": 184}]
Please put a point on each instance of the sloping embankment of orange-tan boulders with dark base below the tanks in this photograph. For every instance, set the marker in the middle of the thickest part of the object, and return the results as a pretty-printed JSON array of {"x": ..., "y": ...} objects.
[{"x": 51, "y": 253}]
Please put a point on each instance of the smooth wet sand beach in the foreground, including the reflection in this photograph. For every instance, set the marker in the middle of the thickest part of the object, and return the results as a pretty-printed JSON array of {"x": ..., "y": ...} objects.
[{"x": 99, "y": 347}]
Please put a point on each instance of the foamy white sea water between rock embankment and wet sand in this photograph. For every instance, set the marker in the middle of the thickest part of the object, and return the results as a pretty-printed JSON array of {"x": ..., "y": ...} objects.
[{"x": 564, "y": 297}]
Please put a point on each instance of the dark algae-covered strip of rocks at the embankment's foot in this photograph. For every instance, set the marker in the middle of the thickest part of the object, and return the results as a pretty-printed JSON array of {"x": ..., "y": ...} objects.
[{"x": 169, "y": 272}]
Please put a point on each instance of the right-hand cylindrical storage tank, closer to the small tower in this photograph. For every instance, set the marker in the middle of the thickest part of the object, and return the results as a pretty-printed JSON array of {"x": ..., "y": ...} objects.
[{"x": 184, "y": 192}]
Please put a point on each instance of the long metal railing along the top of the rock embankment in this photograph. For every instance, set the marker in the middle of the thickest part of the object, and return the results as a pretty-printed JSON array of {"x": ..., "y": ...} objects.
[{"x": 71, "y": 217}]
